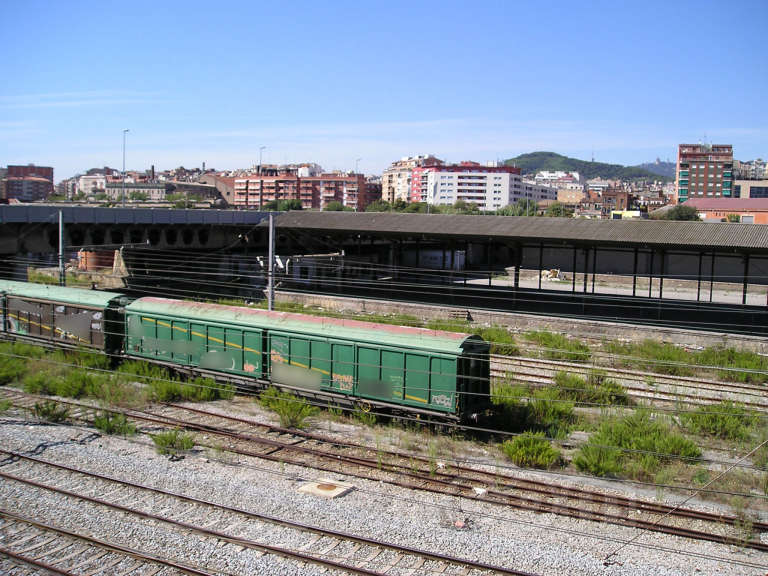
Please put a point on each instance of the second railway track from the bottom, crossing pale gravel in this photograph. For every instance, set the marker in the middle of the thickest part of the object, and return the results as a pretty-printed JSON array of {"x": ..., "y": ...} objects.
[{"x": 330, "y": 548}]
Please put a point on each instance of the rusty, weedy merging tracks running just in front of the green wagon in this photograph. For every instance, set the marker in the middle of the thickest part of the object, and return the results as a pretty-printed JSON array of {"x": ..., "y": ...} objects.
[{"x": 250, "y": 438}]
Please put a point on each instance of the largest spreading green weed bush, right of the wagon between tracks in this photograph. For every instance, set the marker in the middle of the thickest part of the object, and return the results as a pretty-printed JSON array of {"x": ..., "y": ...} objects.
[{"x": 634, "y": 446}]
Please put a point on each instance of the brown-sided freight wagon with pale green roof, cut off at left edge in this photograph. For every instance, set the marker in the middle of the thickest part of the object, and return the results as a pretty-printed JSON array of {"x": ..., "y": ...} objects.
[{"x": 62, "y": 316}]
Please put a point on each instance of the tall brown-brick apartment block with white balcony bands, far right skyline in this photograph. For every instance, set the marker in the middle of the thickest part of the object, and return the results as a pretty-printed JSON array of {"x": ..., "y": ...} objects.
[{"x": 704, "y": 171}]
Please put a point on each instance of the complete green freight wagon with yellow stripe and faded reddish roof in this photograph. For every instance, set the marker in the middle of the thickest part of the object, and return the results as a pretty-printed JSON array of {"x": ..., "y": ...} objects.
[{"x": 415, "y": 369}]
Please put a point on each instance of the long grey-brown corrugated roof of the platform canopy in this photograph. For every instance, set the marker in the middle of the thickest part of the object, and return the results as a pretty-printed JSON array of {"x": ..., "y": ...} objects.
[{"x": 628, "y": 233}]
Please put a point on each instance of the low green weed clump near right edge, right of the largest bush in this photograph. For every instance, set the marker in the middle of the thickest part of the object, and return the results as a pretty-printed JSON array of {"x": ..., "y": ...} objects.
[{"x": 727, "y": 420}]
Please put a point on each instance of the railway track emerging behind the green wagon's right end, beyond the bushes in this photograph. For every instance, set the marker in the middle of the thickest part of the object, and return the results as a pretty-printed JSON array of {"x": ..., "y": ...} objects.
[{"x": 651, "y": 386}]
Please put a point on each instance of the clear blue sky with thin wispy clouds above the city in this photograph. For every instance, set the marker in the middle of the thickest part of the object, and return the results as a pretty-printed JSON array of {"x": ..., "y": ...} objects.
[{"x": 331, "y": 82}]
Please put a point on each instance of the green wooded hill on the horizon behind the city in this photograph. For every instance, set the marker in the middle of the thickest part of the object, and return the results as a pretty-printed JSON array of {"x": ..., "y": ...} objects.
[{"x": 536, "y": 161}]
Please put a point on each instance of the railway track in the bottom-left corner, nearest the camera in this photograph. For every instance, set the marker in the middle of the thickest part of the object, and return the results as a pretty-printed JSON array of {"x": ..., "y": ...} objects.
[{"x": 55, "y": 550}]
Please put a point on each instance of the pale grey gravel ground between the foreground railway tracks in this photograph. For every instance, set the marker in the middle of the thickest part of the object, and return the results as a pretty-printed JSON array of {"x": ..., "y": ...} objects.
[{"x": 538, "y": 543}]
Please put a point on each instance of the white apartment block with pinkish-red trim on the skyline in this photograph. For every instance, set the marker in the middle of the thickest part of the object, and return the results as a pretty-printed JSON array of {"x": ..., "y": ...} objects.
[{"x": 488, "y": 190}]
